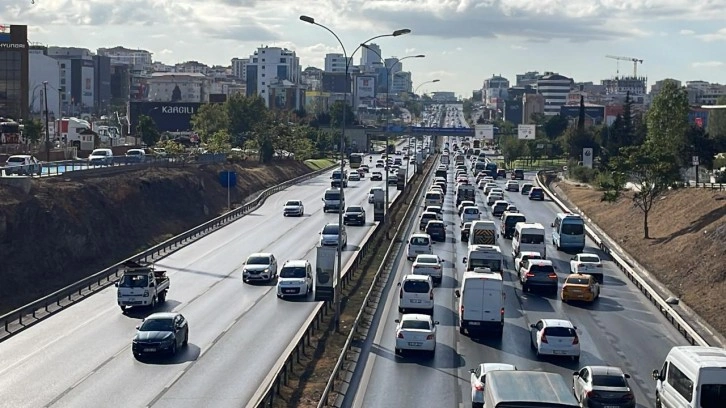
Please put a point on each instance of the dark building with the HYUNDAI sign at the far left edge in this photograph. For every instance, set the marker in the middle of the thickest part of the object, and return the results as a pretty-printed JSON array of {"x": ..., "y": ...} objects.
[{"x": 14, "y": 85}]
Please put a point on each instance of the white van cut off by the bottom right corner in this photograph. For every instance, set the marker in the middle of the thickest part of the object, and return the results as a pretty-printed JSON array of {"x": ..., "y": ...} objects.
[{"x": 692, "y": 376}]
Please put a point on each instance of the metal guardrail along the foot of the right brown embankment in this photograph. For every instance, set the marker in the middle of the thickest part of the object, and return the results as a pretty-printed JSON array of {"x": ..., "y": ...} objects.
[{"x": 676, "y": 320}]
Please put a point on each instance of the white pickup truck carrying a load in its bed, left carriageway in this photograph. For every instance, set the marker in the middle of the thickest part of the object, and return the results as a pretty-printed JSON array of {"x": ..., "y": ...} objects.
[{"x": 141, "y": 285}]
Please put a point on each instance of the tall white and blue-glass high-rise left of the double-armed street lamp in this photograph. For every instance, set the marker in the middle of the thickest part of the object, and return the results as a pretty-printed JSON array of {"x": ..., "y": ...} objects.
[{"x": 269, "y": 65}]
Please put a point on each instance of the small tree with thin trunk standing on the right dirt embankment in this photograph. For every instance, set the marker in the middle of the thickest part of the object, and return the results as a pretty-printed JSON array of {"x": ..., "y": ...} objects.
[{"x": 651, "y": 170}]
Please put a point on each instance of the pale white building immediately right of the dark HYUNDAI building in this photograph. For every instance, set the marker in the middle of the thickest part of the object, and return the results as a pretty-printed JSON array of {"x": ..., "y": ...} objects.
[{"x": 43, "y": 68}]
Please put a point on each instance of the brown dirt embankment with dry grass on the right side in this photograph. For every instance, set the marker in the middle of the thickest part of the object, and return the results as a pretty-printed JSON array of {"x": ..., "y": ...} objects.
[{"x": 687, "y": 249}]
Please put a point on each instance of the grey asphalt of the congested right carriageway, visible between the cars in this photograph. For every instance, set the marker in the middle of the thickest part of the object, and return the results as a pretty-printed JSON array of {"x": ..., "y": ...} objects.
[{"x": 622, "y": 329}]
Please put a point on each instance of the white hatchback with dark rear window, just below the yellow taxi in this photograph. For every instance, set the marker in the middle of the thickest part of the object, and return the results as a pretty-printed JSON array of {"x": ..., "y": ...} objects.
[{"x": 555, "y": 337}]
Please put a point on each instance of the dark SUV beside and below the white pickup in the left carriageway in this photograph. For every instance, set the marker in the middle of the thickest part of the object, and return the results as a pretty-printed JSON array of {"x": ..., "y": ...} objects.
[{"x": 160, "y": 333}]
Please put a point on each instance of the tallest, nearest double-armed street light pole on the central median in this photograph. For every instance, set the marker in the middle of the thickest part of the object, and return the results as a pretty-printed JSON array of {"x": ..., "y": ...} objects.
[{"x": 310, "y": 20}]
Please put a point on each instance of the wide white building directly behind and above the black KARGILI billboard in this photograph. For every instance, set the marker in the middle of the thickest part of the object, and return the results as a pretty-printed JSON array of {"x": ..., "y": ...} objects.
[{"x": 194, "y": 87}]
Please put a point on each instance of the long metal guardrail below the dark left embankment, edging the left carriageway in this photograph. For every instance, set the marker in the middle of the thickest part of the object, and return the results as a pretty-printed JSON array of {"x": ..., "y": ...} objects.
[{"x": 25, "y": 316}]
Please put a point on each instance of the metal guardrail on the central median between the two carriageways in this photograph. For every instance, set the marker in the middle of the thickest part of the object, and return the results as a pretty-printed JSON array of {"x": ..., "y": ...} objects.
[{"x": 265, "y": 395}]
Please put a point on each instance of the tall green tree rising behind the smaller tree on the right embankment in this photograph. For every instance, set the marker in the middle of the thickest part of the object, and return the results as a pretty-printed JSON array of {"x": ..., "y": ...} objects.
[{"x": 668, "y": 120}]
